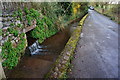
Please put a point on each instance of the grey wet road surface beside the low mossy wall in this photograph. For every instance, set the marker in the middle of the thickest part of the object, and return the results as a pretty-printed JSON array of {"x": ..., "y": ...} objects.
[{"x": 96, "y": 55}]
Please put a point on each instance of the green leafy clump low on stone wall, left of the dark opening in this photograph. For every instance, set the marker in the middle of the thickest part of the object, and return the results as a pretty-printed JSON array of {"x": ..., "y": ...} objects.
[{"x": 10, "y": 54}]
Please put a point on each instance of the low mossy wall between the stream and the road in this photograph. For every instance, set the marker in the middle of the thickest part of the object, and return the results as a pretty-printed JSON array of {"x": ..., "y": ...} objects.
[{"x": 61, "y": 65}]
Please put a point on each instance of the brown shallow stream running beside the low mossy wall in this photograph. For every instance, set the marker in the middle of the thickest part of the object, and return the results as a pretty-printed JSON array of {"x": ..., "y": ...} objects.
[{"x": 39, "y": 58}]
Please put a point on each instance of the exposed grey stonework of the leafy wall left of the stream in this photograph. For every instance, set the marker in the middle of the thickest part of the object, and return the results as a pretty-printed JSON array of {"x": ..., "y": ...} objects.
[{"x": 7, "y": 9}]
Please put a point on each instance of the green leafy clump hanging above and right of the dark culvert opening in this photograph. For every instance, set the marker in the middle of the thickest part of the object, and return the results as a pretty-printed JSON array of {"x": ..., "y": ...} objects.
[{"x": 44, "y": 27}]
